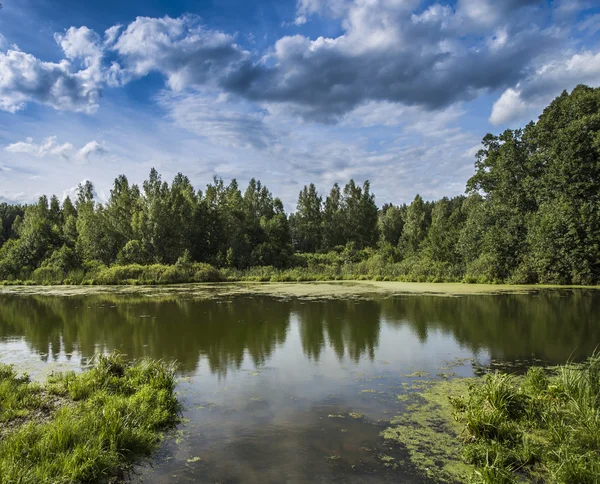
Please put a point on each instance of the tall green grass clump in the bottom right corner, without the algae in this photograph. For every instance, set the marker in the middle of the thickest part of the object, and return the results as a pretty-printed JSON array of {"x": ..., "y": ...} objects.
[{"x": 544, "y": 427}]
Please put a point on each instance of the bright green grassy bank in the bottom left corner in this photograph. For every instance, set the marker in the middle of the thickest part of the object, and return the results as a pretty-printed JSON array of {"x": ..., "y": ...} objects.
[{"x": 87, "y": 427}]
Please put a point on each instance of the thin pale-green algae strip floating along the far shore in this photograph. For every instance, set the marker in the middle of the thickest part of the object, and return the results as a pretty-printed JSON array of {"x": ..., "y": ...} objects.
[{"x": 336, "y": 289}]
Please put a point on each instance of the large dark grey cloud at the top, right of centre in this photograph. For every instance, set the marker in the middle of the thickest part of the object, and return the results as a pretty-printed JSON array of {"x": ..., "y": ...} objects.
[{"x": 390, "y": 53}]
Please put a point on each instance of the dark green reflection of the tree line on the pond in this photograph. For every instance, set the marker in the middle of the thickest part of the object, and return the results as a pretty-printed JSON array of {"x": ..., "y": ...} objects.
[{"x": 552, "y": 325}]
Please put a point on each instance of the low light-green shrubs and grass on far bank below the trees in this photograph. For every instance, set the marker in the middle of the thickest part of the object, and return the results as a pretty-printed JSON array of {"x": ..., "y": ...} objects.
[{"x": 332, "y": 266}]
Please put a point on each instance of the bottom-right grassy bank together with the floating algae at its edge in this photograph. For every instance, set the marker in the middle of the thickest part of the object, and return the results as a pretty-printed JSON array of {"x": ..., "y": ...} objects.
[{"x": 543, "y": 427}]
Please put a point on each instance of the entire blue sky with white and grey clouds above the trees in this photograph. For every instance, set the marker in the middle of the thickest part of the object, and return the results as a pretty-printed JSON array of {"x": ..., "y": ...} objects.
[{"x": 397, "y": 92}]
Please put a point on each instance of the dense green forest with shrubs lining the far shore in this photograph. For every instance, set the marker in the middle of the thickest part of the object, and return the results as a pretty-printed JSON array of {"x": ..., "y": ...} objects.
[{"x": 531, "y": 214}]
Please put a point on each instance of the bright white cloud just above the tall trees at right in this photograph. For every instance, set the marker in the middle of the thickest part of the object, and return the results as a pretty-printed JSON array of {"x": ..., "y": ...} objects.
[{"x": 529, "y": 96}]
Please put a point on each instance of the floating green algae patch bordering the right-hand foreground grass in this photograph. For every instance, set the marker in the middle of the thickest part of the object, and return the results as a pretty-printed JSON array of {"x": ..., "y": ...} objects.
[{"x": 428, "y": 431}]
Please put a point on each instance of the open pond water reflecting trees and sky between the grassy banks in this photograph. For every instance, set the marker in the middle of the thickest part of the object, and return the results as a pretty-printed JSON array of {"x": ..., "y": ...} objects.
[{"x": 296, "y": 389}]
